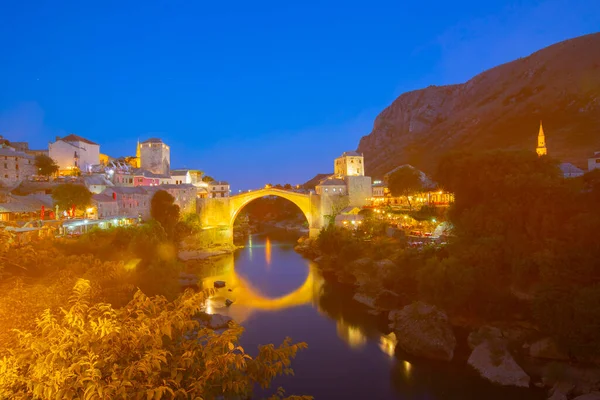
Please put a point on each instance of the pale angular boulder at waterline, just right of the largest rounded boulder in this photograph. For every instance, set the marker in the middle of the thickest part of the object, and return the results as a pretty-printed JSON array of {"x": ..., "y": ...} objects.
[{"x": 493, "y": 361}]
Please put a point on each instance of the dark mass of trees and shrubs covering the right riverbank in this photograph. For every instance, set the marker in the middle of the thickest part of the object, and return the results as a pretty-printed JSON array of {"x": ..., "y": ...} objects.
[{"x": 525, "y": 244}]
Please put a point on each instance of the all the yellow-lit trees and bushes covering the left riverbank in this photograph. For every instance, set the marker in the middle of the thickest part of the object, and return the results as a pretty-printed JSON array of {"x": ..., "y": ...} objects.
[{"x": 103, "y": 316}]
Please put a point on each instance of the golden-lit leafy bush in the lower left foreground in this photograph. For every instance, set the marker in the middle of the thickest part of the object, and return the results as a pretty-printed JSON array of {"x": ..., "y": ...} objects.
[{"x": 151, "y": 349}]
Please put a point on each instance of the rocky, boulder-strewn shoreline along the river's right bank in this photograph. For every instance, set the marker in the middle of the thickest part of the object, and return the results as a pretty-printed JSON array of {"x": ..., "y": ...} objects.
[{"x": 510, "y": 353}]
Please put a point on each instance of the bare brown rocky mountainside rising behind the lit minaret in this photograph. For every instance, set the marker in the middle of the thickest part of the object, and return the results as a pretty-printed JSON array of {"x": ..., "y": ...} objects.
[{"x": 499, "y": 108}]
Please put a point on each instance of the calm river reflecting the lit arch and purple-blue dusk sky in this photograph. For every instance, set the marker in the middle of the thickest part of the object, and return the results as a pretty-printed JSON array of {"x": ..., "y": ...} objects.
[{"x": 278, "y": 293}]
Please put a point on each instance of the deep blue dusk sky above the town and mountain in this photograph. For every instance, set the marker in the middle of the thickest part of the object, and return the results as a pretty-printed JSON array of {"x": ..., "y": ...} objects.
[{"x": 250, "y": 92}]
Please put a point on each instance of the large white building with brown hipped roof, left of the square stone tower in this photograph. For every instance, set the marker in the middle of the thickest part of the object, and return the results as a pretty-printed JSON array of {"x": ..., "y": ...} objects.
[{"x": 74, "y": 152}]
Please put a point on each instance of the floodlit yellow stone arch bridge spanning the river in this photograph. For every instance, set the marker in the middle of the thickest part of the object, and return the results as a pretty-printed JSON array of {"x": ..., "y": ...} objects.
[{"x": 217, "y": 215}]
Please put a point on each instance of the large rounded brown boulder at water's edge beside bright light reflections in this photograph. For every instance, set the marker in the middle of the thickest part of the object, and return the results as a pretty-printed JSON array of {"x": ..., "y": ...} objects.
[{"x": 423, "y": 330}]
